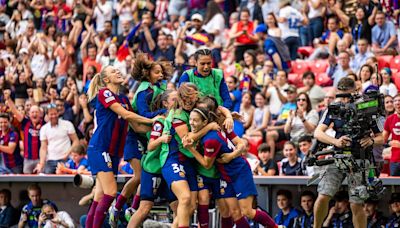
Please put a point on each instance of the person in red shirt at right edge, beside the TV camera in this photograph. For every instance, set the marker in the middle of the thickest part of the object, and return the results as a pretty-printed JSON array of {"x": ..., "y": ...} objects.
[{"x": 392, "y": 128}]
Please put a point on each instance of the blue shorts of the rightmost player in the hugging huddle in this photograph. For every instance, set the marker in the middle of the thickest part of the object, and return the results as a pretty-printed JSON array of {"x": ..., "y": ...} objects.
[{"x": 243, "y": 183}]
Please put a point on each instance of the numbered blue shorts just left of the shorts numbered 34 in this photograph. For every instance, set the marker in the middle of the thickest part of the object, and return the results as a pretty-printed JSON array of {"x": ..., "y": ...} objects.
[{"x": 152, "y": 186}]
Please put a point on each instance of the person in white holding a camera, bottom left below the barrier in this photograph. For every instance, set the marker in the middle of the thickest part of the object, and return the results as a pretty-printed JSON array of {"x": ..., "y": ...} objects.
[{"x": 51, "y": 218}]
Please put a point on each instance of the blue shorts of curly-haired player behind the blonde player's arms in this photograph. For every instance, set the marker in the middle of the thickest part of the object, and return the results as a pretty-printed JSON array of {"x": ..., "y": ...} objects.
[{"x": 135, "y": 146}]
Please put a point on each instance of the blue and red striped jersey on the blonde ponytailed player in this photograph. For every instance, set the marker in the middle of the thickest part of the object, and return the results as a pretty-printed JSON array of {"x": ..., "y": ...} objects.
[{"x": 110, "y": 130}]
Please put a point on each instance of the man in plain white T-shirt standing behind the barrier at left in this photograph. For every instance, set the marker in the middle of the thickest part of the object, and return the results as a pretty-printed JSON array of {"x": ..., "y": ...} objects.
[{"x": 56, "y": 137}]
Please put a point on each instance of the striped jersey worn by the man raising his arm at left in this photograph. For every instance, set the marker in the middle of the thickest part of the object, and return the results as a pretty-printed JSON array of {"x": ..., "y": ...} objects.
[{"x": 31, "y": 138}]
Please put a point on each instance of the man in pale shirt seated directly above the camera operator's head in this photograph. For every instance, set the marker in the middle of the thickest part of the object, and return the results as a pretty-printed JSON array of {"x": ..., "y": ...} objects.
[{"x": 337, "y": 72}]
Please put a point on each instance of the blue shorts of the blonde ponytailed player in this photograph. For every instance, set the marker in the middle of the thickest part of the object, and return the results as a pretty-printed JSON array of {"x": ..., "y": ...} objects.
[{"x": 101, "y": 161}]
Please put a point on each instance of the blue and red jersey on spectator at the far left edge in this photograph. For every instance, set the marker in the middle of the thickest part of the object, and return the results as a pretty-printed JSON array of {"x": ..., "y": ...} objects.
[{"x": 14, "y": 159}]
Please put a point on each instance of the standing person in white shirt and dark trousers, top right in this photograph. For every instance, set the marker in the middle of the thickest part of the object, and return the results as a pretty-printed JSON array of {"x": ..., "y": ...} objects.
[{"x": 290, "y": 20}]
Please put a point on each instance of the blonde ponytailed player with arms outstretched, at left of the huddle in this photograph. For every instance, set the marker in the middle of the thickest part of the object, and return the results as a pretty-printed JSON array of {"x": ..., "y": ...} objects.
[{"x": 112, "y": 114}]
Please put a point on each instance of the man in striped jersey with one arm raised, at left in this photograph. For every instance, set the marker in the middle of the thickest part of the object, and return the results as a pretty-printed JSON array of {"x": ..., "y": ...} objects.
[{"x": 30, "y": 128}]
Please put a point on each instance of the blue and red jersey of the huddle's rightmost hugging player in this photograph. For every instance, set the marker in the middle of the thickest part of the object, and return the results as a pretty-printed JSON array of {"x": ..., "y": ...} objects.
[{"x": 216, "y": 143}]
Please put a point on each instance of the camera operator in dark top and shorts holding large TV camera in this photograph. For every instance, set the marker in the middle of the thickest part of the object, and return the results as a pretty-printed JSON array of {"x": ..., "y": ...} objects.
[{"x": 332, "y": 178}]
